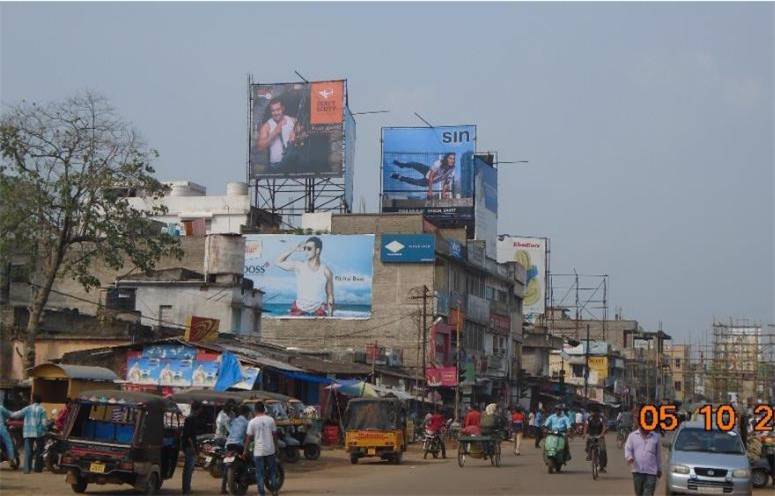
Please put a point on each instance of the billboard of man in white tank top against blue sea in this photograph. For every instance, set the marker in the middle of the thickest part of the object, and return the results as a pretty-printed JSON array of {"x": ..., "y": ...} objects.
[{"x": 322, "y": 276}]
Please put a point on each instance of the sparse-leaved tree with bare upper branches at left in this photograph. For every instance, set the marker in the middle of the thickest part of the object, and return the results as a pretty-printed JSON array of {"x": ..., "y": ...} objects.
[{"x": 65, "y": 171}]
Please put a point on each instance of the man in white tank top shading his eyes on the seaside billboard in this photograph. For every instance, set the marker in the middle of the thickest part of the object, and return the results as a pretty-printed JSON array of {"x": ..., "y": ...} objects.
[{"x": 314, "y": 280}]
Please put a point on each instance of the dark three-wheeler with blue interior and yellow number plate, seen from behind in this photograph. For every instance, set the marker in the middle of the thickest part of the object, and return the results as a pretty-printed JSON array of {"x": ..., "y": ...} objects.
[{"x": 120, "y": 437}]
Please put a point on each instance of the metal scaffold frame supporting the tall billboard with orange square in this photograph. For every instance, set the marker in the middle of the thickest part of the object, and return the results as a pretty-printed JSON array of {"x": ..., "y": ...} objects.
[{"x": 291, "y": 197}]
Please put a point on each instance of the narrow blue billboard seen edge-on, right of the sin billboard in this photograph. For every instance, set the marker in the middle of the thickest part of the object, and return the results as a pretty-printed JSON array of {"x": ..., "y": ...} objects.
[{"x": 486, "y": 205}]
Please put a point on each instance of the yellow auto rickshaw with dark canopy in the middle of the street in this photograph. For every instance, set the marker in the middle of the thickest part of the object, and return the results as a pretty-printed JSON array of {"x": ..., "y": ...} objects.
[{"x": 375, "y": 427}]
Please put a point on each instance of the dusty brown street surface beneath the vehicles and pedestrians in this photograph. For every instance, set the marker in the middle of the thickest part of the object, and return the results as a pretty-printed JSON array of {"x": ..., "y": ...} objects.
[{"x": 333, "y": 474}]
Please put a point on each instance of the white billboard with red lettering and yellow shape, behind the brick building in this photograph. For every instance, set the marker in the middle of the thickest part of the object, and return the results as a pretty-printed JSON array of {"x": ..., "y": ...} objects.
[{"x": 531, "y": 254}]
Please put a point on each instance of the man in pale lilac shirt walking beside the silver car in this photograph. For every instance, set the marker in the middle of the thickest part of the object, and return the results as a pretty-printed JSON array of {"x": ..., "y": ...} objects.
[{"x": 642, "y": 453}]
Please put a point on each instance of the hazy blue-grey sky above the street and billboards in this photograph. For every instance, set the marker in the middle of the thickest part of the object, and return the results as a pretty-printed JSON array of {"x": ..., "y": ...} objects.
[{"x": 648, "y": 127}]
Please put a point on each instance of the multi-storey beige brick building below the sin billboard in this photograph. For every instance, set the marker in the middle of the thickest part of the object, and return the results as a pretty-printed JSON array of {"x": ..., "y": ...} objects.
[{"x": 460, "y": 284}]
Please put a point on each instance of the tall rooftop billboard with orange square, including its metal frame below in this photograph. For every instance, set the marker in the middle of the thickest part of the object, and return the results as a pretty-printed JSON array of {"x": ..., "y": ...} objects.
[{"x": 313, "y": 165}]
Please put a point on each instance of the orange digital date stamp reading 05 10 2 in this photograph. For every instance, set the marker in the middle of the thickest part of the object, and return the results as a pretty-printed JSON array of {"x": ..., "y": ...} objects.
[{"x": 665, "y": 417}]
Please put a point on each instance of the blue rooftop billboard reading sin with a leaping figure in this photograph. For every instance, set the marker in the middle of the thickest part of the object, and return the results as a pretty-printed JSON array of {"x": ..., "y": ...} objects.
[{"x": 429, "y": 170}]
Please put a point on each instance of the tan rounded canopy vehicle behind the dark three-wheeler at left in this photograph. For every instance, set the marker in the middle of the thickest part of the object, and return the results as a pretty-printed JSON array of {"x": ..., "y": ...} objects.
[{"x": 54, "y": 382}]
